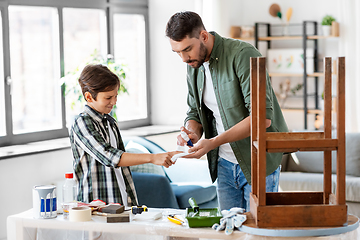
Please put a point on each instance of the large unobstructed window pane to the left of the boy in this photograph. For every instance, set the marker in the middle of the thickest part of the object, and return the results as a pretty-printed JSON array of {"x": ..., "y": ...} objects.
[{"x": 35, "y": 69}]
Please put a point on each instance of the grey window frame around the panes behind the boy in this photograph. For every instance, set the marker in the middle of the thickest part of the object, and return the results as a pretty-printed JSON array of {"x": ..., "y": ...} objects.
[{"x": 111, "y": 7}]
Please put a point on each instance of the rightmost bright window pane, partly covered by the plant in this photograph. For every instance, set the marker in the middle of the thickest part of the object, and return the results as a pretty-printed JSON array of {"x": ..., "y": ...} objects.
[{"x": 130, "y": 49}]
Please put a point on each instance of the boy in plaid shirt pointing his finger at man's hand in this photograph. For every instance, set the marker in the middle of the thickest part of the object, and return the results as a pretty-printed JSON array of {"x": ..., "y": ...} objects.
[{"x": 101, "y": 164}]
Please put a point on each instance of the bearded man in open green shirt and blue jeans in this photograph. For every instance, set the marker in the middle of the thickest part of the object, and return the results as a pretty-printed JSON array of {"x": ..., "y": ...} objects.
[{"x": 218, "y": 77}]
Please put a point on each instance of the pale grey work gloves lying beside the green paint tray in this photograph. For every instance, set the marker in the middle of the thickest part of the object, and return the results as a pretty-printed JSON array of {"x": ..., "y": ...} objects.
[{"x": 231, "y": 218}]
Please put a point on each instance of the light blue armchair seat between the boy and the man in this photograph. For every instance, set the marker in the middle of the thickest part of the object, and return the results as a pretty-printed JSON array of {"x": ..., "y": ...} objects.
[{"x": 201, "y": 194}]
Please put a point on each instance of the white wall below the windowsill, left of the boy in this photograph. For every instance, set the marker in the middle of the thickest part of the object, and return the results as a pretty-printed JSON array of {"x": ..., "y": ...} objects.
[{"x": 18, "y": 175}]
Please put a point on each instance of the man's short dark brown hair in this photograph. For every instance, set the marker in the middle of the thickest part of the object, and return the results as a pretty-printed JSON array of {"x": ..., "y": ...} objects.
[{"x": 183, "y": 24}]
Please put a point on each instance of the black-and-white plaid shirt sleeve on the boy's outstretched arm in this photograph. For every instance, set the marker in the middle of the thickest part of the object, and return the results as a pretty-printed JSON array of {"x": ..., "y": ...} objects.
[{"x": 89, "y": 138}]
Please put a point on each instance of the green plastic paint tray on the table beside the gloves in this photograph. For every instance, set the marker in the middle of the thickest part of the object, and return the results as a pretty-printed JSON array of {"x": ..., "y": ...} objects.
[{"x": 206, "y": 217}]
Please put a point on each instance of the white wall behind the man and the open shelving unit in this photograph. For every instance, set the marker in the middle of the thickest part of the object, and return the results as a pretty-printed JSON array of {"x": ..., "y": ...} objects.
[{"x": 168, "y": 71}]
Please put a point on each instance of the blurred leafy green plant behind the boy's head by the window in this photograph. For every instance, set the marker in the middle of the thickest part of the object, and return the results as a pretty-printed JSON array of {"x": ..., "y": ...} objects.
[{"x": 74, "y": 100}]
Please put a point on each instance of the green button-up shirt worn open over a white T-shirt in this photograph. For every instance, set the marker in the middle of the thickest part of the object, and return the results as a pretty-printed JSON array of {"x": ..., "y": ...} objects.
[{"x": 230, "y": 72}]
